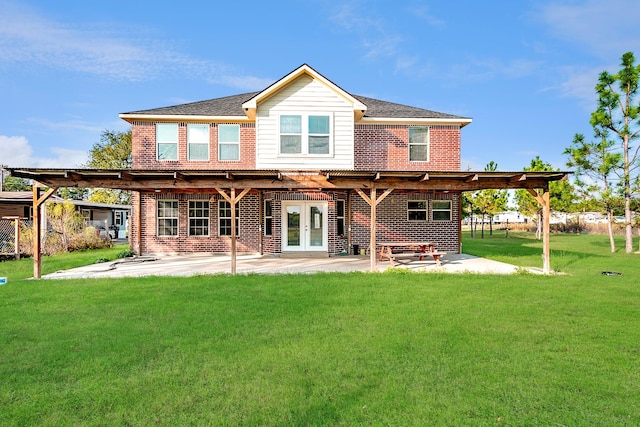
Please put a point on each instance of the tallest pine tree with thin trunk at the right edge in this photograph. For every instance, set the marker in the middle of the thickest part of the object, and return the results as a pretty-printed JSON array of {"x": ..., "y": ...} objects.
[{"x": 618, "y": 114}]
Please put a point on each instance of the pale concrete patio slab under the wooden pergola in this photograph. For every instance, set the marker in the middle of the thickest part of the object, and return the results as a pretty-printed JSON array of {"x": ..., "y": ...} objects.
[{"x": 197, "y": 264}]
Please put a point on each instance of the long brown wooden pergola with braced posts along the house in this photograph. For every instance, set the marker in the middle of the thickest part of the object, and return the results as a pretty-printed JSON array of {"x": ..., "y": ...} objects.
[{"x": 233, "y": 185}]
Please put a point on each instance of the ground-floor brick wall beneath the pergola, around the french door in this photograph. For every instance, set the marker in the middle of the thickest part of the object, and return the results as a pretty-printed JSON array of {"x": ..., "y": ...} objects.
[{"x": 392, "y": 224}]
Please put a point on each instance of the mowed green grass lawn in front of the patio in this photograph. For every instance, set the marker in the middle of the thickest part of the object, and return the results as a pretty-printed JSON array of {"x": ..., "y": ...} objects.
[{"x": 396, "y": 348}]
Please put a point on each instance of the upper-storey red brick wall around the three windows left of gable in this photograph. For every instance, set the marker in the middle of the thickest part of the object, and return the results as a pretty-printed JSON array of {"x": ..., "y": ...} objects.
[{"x": 144, "y": 156}]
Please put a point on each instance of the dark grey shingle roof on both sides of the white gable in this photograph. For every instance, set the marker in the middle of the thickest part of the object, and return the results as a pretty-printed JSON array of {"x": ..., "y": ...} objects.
[{"x": 231, "y": 106}]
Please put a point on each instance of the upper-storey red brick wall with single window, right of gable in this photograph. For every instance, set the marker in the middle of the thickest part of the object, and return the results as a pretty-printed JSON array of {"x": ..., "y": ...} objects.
[{"x": 386, "y": 147}]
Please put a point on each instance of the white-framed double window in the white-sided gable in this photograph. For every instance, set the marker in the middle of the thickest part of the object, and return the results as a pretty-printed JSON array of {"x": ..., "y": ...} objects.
[{"x": 306, "y": 134}]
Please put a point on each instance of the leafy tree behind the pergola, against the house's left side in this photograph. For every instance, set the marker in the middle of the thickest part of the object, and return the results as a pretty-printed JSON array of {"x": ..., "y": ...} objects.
[{"x": 112, "y": 152}]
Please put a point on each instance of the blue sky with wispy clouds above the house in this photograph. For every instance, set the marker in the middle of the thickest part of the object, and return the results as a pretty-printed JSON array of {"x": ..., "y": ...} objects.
[{"x": 524, "y": 71}]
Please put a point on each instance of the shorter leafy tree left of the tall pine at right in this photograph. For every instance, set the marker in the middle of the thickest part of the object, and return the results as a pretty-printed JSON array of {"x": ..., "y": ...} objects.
[{"x": 597, "y": 161}]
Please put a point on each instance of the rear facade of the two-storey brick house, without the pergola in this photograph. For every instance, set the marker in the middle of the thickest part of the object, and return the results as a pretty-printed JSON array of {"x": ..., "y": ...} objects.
[{"x": 303, "y": 123}]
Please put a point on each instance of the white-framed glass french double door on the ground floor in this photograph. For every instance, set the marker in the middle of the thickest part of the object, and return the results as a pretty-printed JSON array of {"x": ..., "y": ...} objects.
[{"x": 304, "y": 226}]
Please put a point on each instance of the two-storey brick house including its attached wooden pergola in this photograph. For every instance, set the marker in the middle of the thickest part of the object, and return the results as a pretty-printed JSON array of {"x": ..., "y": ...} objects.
[{"x": 302, "y": 168}]
